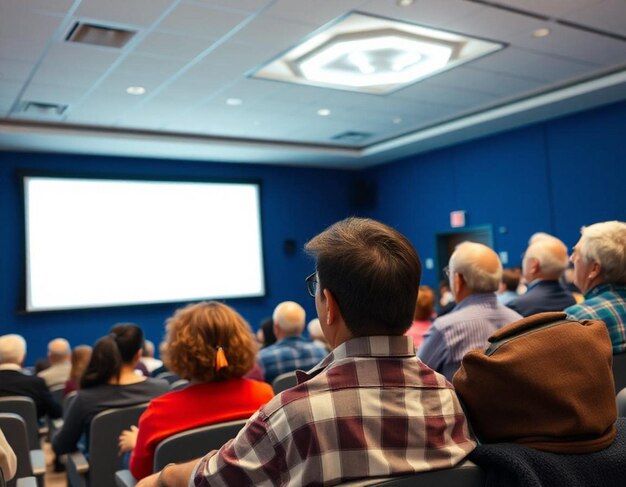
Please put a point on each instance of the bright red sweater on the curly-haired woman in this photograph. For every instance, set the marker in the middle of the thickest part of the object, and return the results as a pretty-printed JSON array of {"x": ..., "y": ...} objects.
[{"x": 196, "y": 405}]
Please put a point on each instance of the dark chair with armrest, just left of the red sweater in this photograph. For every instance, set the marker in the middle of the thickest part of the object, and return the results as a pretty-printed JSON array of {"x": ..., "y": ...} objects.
[{"x": 104, "y": 460}]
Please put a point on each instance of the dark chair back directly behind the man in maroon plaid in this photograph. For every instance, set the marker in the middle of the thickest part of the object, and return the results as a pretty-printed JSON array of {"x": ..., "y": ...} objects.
[{"x": 465, "y": 474}]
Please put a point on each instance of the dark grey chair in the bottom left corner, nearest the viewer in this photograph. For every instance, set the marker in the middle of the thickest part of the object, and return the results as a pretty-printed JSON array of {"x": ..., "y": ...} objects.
[{"x": 30, "y": 462}]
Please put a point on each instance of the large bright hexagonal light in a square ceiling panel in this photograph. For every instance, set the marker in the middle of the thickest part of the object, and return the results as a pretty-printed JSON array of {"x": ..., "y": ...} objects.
[{"x": 369, "y": 54}]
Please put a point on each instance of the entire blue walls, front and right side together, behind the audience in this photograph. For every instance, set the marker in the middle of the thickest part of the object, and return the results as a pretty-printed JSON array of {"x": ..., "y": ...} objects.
[{"x": 554, "y": 177}]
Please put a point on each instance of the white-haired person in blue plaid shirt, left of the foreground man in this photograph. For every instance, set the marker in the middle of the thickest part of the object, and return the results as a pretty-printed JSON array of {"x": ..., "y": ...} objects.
[{"x": 291, "y": 350}]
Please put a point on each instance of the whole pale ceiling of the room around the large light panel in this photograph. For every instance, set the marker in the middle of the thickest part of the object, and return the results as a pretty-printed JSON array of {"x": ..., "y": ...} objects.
[{"x": 194, "y": 55}]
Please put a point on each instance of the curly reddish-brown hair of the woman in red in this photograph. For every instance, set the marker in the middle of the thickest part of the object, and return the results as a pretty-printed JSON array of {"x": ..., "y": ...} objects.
[{"x": 193, "y": 335}]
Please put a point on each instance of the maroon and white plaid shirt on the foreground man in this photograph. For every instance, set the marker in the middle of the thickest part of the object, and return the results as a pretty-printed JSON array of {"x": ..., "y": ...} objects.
[{"x": 371, "y": 408}]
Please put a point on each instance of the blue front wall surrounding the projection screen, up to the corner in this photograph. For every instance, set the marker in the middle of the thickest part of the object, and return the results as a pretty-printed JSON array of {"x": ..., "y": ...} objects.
[{"x": 295, "y": 204}]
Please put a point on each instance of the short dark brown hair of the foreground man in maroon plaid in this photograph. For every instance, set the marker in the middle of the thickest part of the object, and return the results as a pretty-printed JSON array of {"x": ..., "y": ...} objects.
[{"x": 372, "y": 271}]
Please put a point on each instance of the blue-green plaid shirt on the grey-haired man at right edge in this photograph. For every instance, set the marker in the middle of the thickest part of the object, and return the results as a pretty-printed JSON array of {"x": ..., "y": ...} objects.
[{"x": 606, "y": 302}]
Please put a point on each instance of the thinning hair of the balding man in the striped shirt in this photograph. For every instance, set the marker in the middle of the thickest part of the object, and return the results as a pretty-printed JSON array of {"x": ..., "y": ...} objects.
[{"x": 477, "y": 278}]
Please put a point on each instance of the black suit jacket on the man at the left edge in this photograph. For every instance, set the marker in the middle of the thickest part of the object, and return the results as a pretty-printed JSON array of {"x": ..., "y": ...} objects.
[{"x": 15, "y": 383}]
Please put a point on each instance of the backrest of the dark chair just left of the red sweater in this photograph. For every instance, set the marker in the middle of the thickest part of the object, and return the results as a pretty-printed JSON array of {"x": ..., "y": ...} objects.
[{"x": 104, "y": 432}]
